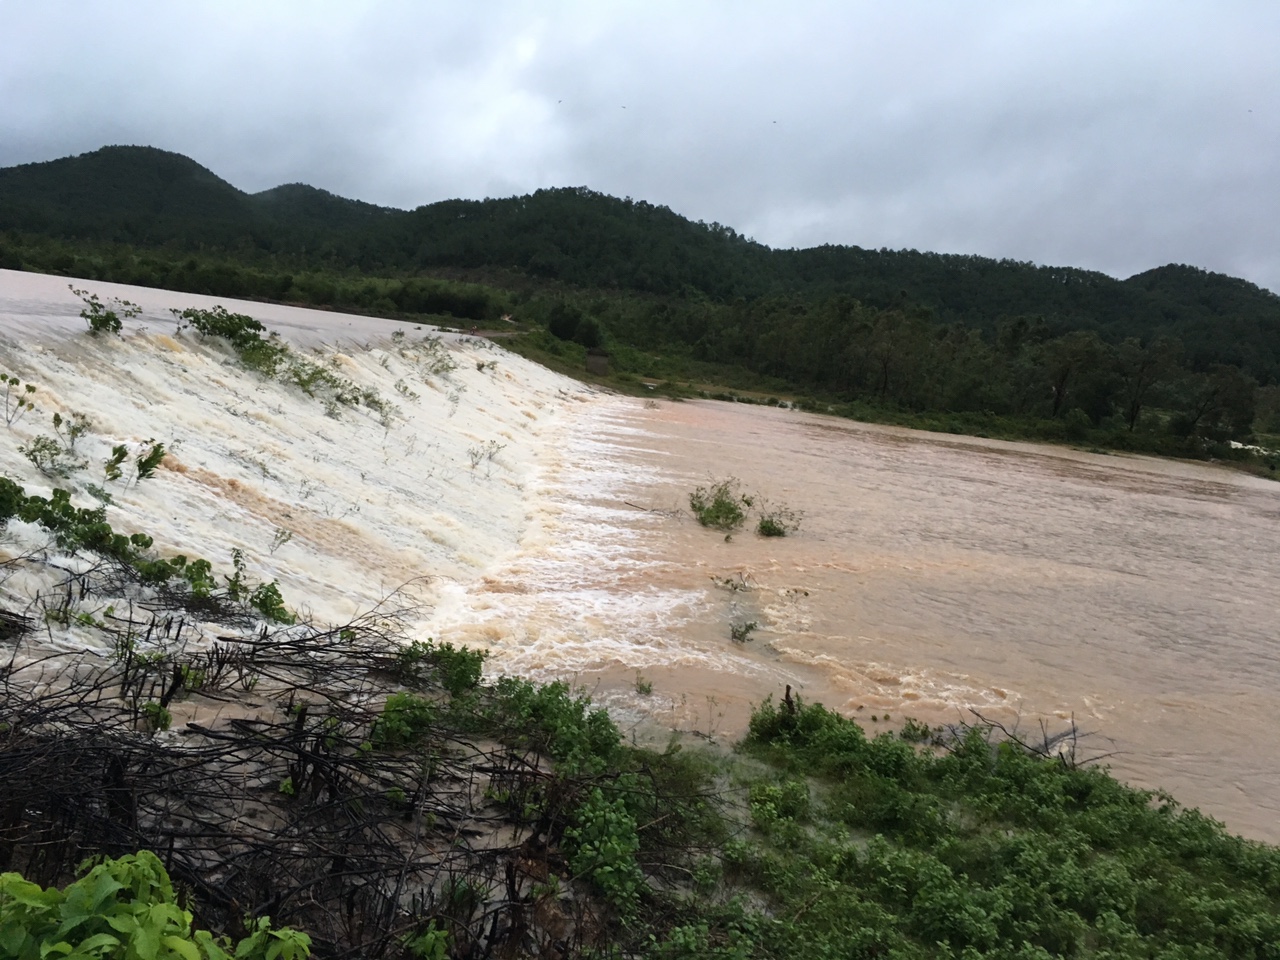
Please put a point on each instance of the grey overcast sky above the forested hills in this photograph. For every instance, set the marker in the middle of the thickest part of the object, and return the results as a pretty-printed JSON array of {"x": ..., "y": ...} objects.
[{"x": 1114, "y": 136}]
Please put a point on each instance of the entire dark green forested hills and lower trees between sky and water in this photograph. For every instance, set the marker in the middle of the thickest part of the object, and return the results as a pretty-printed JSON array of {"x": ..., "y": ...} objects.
[{"x": 1176, "y": 349}]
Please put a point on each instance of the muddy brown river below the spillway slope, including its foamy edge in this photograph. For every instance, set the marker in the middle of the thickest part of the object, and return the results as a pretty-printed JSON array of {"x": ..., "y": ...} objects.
[{"x": 931, "y": 575}]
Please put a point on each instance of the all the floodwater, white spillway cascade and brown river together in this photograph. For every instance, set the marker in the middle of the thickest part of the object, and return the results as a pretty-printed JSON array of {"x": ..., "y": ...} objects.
[{"x": 520, "y": 511}]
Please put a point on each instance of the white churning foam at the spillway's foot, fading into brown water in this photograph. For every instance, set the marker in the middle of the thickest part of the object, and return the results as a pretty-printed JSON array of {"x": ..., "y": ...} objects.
[{"x": 584, "y": 595}]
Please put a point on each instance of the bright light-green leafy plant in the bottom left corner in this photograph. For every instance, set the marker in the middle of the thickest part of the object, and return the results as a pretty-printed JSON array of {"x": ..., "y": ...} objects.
[{"x": 124, "y": 909}]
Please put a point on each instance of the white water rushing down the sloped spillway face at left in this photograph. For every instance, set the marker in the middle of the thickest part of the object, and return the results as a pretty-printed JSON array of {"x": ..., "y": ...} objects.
[{"x": 342, "y": 505}]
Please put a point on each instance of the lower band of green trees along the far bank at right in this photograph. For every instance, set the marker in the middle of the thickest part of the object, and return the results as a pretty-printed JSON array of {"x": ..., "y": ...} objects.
[{"x": 906, "y": 360}]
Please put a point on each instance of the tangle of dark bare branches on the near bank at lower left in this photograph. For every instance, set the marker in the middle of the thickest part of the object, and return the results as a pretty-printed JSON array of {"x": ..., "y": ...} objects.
[{"x": 269, "y": 798}]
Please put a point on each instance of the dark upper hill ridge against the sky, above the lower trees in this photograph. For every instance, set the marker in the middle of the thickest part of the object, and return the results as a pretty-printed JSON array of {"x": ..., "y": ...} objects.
[{"x": 148, "y": 198}]
